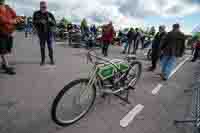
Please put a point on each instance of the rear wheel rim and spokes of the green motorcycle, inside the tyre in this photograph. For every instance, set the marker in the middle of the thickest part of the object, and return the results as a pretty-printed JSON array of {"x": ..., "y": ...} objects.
[{"x": 133, "y": 75}]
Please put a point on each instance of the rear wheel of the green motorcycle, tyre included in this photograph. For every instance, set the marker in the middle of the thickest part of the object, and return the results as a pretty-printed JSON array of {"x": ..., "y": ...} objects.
[{"x": 134, "y": 73}]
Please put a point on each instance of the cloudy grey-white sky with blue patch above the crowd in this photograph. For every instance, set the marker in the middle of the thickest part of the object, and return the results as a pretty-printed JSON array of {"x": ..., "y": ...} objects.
[{"x": 123, "y": 13}]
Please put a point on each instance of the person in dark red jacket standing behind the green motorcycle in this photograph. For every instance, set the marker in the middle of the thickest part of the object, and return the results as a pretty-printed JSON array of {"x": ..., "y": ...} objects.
[{"x": 107, "y": 37}]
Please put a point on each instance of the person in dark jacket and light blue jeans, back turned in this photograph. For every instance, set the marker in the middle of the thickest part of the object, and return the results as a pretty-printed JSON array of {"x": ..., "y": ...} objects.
[{"x": 172, "y": 47}]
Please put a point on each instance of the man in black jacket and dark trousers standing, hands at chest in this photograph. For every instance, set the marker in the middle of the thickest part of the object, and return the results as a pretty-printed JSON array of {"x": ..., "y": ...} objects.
[{"x": 44, "y": 22}]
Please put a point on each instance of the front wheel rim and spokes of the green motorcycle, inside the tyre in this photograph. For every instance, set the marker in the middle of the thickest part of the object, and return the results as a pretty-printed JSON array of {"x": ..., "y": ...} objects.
[{"x": 75, "y": 103}]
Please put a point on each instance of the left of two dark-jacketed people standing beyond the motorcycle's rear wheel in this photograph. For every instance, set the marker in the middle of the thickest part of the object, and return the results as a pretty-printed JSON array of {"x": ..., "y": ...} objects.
[{"x": 130, "y": 37}]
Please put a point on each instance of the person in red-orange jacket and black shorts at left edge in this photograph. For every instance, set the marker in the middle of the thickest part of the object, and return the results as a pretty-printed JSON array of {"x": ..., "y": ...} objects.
[{"x": 8, "y": 21}]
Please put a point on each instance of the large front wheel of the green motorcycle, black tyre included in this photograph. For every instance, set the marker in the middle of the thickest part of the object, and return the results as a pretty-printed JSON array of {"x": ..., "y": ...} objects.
[{"x": 73, "y": 102}]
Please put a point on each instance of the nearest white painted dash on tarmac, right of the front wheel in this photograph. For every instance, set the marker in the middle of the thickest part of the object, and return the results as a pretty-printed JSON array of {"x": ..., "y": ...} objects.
[{"x": 131, "y": 115}]
